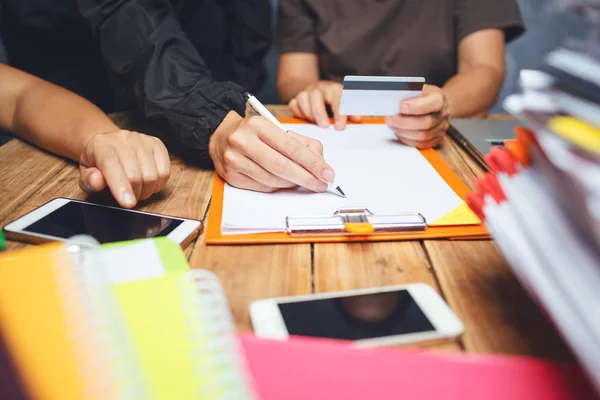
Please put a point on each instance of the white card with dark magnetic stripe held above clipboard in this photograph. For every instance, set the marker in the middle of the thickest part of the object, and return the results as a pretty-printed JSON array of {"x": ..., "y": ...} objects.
[{"x": 378, "y": 95}]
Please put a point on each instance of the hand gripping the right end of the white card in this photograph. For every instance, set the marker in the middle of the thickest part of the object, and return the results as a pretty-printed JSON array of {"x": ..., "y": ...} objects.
[{"x": 422, "y": 121}]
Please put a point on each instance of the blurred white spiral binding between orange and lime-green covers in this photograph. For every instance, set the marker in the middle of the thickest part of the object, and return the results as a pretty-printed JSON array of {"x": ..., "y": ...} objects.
[{"x": 108, "y": 367}]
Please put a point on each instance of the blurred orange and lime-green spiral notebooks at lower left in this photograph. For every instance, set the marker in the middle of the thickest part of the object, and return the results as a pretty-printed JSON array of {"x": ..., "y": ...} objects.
[{"x": 129, "y": 321}]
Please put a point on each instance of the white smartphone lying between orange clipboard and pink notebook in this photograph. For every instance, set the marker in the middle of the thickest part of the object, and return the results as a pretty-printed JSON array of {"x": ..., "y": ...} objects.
[{"x": 371, "y": 317}]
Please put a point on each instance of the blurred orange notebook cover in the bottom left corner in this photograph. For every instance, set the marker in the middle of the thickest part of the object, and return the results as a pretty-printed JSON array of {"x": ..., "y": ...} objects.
[{"x": 34, "y": 319}]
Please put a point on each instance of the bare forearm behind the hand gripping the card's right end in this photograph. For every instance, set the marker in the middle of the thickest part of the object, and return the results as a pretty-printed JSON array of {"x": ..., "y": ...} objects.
[{"x": 471, "y": 93}]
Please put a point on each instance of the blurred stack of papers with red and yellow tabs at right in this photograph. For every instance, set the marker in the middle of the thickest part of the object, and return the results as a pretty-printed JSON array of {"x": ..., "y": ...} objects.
[{"x": 542, "y": 200}]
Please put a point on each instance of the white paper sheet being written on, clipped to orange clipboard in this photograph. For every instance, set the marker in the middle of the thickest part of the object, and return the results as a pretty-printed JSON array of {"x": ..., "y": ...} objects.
[{"x": 372, "y": 167}]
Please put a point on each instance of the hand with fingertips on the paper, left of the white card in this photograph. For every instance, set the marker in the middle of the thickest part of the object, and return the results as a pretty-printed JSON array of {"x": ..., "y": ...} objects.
[{"x": 311, "y": 104}]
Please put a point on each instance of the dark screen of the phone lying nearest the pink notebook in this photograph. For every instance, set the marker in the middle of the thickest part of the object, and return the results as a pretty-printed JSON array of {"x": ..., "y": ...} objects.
[{"x": 356, "y": 317}]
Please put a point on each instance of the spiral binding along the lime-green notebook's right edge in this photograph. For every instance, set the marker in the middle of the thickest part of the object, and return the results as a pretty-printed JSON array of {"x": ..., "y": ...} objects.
[{"x": 212, "y": 334}]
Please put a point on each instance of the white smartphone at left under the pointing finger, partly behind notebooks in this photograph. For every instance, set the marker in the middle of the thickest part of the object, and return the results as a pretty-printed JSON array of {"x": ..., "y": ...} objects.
[{"x": 61, "y": 219}]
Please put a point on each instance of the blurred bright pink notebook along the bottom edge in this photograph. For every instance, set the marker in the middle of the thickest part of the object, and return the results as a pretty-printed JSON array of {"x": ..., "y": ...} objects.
[{"x": 315, "y": 369}]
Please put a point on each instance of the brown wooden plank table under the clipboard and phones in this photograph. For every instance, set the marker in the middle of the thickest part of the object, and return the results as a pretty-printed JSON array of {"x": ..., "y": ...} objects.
[{"x": 471, "y": 275}]
